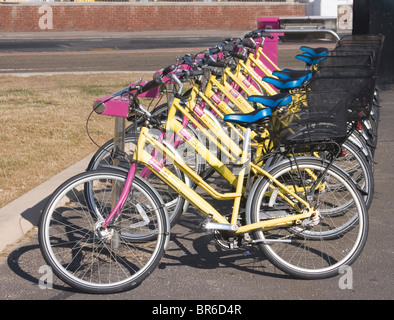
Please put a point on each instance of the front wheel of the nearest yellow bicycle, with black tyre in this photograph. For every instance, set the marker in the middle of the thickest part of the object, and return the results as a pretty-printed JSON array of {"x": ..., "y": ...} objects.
[{"x": 103, "y": 261}]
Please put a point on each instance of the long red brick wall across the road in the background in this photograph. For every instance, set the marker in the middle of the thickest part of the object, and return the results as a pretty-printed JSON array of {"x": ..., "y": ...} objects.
[{"x": 144, "y": 16}]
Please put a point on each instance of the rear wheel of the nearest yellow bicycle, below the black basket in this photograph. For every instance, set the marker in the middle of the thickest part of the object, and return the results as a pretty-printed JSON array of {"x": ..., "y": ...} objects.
[{"x": 311, "y": 249}]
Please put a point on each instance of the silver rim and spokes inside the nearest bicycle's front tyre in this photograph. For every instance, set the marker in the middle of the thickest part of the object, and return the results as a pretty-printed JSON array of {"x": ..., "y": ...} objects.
[{"x": 86, "y": 258}]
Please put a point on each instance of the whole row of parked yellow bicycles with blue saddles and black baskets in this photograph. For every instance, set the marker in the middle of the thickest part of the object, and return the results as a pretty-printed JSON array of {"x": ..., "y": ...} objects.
[{"x": 294, "y": 149}]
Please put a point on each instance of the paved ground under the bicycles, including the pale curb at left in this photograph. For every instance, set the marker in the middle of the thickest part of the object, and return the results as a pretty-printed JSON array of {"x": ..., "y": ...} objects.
[{"x": 193, "y": 267}]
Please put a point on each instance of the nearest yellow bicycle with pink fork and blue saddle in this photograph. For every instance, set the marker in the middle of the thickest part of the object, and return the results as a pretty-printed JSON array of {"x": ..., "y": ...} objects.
[{"x": 105, "y": 231}]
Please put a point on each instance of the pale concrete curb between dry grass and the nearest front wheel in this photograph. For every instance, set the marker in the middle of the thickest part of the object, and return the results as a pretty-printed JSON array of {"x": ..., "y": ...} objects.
[{"x": 20, "y": 216}]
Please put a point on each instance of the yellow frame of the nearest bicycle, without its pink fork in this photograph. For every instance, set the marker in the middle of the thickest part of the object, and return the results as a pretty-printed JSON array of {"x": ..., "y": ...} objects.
[{"x": 197, "y": 201}]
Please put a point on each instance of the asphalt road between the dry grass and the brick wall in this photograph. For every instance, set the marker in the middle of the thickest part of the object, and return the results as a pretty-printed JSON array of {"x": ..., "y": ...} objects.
[{"x": 61, "y": 52}]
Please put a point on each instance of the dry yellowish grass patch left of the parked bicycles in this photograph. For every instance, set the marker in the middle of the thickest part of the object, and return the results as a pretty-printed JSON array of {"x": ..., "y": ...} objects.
[{"x": 43, "y": 125}]
